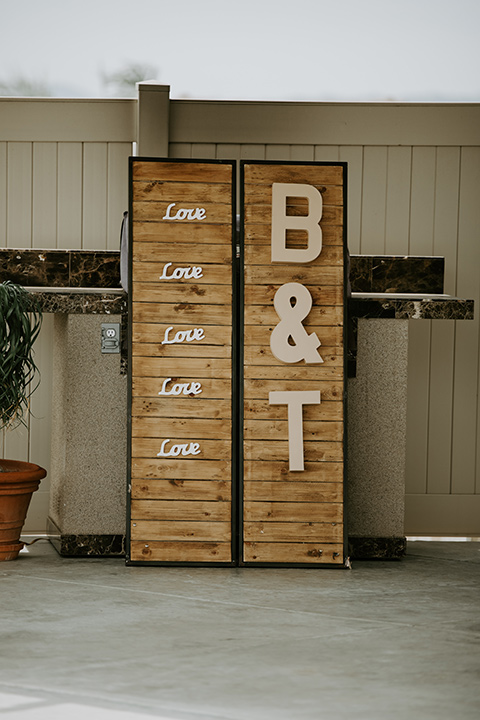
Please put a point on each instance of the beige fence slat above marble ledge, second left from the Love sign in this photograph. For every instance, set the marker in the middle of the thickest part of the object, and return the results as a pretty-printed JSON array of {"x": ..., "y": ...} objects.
[{"x": 94, "y": 196}]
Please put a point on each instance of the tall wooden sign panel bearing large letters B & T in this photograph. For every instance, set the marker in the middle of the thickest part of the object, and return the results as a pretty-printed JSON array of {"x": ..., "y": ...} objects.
[{"x": 294, "y": 416}]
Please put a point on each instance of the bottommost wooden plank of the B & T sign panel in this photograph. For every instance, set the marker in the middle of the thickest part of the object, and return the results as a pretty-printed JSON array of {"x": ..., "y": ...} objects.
[{"x": 311, "y": 553}]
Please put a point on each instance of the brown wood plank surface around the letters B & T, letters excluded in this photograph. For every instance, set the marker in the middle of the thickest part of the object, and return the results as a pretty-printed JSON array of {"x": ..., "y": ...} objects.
[{"x": 293, "y": 516}]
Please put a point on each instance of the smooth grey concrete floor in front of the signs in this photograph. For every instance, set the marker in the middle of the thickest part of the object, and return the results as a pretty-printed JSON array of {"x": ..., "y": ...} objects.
[{"x": 93, "y": 639}]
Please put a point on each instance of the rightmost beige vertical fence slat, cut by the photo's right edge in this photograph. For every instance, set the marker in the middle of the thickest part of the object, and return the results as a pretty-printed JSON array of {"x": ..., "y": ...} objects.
[{"x": 466, "y": 414}]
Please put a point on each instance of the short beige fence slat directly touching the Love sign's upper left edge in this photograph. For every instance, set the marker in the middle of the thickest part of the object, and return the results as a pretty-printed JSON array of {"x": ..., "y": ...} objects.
[{"x": 117, "y": 197}]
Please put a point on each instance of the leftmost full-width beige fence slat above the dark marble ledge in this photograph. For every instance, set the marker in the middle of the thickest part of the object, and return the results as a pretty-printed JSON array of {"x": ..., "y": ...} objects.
[{"x": 19, "y": 195}]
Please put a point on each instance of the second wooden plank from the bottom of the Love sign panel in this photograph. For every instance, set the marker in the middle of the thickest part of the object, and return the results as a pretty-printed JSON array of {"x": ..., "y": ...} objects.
[{"x": 151, "y": 530}]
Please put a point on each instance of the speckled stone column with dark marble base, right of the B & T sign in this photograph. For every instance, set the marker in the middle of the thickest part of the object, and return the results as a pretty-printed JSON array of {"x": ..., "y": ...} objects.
[{"x": 377, "y": 414}]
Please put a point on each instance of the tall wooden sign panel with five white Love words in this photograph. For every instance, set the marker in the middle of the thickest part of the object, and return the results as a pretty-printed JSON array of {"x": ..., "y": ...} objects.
[{"x": 181, "y": 239}]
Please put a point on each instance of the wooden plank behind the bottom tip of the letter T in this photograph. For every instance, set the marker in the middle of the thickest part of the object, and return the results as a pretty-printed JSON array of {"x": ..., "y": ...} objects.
[{"x": 268, "y": 471}]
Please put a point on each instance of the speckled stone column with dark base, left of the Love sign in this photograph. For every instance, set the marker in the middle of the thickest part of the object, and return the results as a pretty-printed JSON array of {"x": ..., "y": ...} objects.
[{"x": 88, "y": 470}]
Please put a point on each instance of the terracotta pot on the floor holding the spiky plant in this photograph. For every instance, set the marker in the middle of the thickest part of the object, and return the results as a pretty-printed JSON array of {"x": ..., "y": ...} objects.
[{"x": 18, "y": 481}]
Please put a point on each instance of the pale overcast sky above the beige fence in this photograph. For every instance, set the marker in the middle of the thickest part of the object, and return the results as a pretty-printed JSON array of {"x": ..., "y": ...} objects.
[{"x": 250, "y": 49}]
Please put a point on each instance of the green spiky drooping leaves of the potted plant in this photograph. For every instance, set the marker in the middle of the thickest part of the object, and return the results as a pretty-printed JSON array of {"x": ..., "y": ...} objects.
[{"x": 20, "y": 322}]
